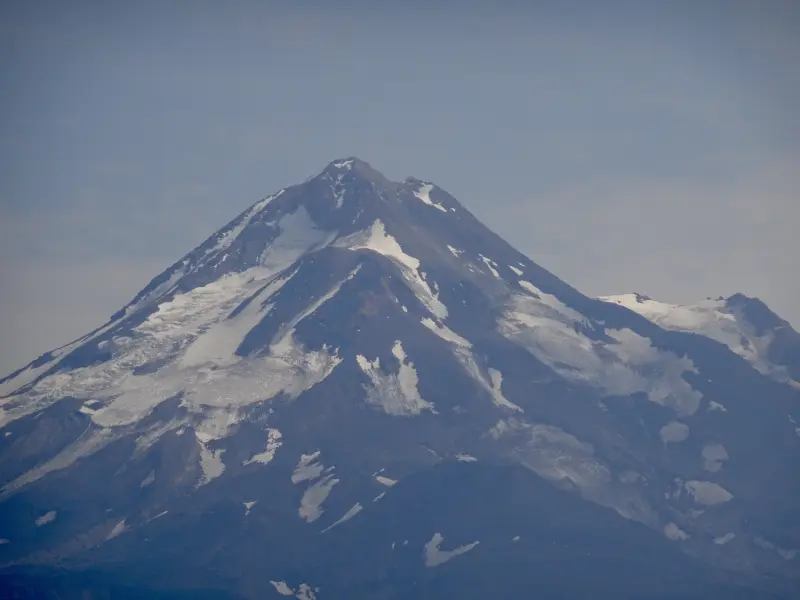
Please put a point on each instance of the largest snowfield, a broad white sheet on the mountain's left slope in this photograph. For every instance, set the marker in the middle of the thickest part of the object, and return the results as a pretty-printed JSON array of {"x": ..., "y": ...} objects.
[{"x": 205, "y": 373}]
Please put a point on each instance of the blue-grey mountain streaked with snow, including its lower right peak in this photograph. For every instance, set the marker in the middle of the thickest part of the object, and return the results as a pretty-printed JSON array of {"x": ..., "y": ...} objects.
[{"x": 356, "y": 390}]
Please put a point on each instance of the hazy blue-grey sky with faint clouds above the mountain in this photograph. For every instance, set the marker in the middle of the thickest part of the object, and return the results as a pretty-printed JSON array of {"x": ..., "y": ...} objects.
[{"x": 639, "y": 146}]
